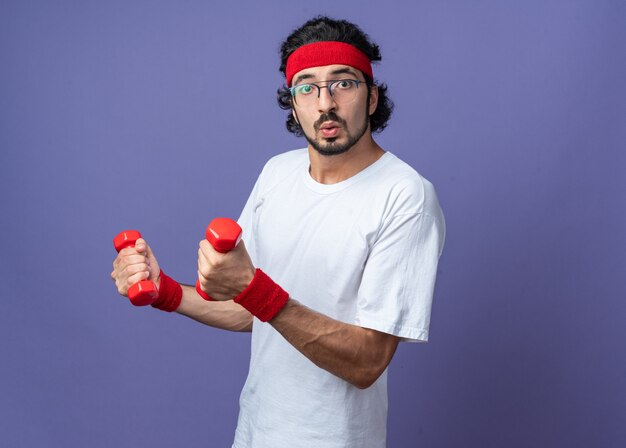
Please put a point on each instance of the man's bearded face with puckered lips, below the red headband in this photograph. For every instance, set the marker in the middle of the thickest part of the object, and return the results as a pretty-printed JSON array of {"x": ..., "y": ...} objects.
[{"x": 332, "y": 127}]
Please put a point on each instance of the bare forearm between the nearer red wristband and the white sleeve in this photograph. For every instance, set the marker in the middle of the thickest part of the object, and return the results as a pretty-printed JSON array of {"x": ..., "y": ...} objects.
[{"x": 355, "y": 354}]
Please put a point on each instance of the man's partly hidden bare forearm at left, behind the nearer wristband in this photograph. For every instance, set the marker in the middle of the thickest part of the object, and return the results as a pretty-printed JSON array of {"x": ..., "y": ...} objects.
[{"x": 226, "y": 315}]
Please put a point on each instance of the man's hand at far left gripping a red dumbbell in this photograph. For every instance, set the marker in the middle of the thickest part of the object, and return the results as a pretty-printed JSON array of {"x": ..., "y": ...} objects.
[{"x": 134, "y": 264}]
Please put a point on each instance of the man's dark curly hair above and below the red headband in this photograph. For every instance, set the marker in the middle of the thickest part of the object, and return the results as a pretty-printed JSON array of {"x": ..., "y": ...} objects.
[{"x": 320, "y": 29}]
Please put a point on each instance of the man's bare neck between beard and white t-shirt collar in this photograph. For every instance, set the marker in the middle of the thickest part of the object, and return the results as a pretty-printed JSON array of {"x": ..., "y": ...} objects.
[{"x": 337, "y": 168}]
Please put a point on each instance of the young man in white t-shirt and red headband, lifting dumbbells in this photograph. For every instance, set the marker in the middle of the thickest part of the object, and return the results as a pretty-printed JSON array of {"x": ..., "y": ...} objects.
[{"x": 347, "y": 238}]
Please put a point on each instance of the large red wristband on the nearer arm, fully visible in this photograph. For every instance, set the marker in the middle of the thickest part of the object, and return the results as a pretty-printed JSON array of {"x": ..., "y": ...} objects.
[{"x": 262, "y": 297}]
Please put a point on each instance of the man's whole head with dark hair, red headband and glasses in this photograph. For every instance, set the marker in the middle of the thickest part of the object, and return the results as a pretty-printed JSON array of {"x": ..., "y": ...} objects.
[{"x": 332, "y": 115}]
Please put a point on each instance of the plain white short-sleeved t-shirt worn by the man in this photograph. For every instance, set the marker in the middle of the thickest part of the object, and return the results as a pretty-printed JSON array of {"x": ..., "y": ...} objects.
[{"x": 363, "y": 251}]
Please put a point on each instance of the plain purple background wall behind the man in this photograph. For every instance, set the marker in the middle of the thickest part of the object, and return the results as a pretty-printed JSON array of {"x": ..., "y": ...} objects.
[{"x": 159, "y": 116}]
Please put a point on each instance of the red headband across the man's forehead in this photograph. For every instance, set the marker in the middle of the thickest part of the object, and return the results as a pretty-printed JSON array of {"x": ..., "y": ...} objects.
[{"x": 319, "y": 54}]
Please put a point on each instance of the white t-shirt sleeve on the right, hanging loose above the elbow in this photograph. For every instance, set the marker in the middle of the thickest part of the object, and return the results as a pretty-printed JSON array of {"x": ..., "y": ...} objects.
[{"x": 396, "y": 291}]
